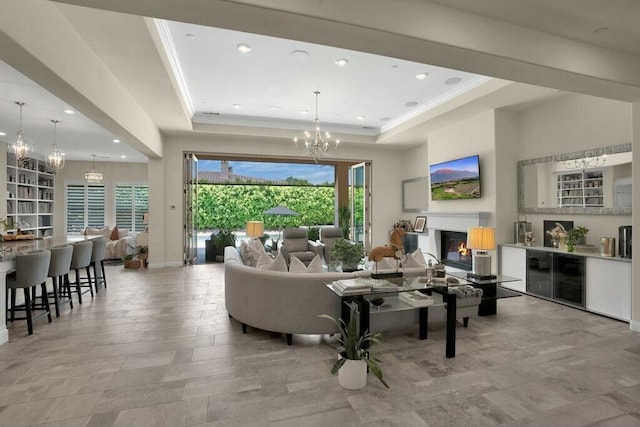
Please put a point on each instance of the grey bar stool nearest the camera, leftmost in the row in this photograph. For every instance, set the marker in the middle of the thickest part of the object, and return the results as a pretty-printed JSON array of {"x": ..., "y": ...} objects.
[{"x": 31, "y": 271}]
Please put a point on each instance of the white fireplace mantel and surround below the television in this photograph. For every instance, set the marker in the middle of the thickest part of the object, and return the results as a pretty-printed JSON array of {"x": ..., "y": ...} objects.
[{"x": 451, "y": 221}]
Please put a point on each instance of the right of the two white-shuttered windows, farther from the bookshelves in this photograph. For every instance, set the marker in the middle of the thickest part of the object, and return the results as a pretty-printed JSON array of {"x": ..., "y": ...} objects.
[{"x": 132, "y": 202}]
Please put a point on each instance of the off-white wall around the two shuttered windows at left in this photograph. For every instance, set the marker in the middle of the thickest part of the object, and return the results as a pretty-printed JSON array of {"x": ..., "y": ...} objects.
[{"x": 114, "y": 173}]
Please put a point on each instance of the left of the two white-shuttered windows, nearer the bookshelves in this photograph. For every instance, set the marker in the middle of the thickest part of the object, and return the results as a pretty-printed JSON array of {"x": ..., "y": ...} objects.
[{"x": 85, "y": 207}]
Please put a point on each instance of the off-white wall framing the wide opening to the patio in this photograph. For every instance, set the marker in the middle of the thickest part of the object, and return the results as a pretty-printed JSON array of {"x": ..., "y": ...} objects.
[{"x": 166, "y": 212}]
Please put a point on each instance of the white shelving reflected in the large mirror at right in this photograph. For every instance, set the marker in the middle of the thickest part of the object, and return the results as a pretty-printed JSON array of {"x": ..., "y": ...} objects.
[{"x": 581, "y": 189}]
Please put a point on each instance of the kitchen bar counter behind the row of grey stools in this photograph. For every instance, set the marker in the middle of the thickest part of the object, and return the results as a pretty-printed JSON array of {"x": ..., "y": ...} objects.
[{"x": 8, "y": 252}]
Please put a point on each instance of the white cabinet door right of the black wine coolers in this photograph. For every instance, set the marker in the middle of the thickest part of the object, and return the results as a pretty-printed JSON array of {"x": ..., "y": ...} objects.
[{"x": 609, "y": 288}]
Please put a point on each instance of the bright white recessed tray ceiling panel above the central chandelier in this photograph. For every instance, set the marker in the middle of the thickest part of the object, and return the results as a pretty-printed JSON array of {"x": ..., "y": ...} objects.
[{"x": 274, "y": 83}]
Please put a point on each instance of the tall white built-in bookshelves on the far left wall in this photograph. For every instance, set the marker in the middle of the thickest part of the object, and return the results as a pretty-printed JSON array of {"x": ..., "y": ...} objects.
[{"x": 30, "y": 197}]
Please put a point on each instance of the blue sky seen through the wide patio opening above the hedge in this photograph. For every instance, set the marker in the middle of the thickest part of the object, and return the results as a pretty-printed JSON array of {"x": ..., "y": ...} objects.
[{"x": 316, "y": 174}]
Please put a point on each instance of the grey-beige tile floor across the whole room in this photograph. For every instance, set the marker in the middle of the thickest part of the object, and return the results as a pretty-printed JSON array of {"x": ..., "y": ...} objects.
[{"x": 158, "y": 349}]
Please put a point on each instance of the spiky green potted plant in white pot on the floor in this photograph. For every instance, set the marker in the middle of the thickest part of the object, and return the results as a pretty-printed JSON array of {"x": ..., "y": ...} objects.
[{"x": 355, "y": 354}]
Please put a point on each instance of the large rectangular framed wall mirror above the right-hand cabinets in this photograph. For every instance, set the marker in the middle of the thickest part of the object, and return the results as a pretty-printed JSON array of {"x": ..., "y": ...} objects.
[{"x": 590, "y": 182}]
